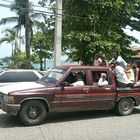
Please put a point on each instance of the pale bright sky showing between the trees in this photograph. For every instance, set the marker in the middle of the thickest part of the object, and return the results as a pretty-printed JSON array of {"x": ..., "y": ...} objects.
[{"x": 6, "y": 49}]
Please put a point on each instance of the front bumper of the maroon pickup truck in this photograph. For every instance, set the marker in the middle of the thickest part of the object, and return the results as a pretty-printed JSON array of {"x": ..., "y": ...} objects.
[{"x": 11, "y": 109}]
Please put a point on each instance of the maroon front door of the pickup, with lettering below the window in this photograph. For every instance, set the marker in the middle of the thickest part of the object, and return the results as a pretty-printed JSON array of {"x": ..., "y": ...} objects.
[{"x": 74, "y": 97}]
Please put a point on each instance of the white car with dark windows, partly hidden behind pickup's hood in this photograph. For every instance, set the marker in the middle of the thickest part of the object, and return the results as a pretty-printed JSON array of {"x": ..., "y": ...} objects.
[{"x": 11, "y": 76}]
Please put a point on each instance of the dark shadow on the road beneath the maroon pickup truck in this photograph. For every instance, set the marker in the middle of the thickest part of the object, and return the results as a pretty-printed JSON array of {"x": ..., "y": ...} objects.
[{"x": 7, "y": 121}]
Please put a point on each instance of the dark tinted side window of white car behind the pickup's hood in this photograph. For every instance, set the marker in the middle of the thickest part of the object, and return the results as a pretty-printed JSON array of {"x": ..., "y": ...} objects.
[{"x": 18, "y": 77}]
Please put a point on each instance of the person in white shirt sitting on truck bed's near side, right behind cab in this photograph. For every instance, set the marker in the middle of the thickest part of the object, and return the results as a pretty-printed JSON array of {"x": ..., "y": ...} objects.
[{"x": 122, "y": 79}]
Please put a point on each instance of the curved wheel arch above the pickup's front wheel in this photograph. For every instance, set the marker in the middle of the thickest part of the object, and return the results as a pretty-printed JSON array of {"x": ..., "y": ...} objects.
[{"x": 44, "y": 101}]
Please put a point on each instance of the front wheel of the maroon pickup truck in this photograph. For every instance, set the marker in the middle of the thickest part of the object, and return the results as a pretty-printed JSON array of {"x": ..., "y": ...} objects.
[{"x": 32, "y": 113}]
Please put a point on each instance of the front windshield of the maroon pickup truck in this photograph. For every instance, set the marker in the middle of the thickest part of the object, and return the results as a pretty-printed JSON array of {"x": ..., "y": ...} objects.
[{"x": 52, "y": 76}]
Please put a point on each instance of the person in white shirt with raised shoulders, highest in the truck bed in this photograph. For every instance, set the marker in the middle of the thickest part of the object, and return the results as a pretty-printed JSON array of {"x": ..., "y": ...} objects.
[{"x": 118, "y": 58}]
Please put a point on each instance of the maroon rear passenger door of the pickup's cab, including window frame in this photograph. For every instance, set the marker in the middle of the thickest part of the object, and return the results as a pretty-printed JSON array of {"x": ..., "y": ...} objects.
[{"x": 102, "y": 97}]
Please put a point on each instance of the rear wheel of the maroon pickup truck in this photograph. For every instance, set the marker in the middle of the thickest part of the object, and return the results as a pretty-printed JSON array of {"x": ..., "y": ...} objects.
[{"x": 125, "y": 106}]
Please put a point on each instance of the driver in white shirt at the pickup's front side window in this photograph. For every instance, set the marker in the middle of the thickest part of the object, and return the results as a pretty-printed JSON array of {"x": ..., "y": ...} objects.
[{"x": 79, "y": 81}]
